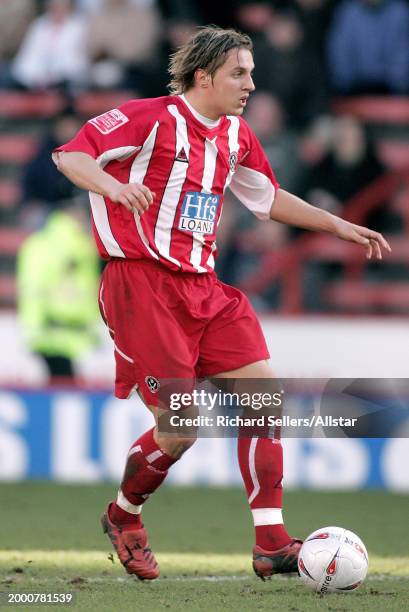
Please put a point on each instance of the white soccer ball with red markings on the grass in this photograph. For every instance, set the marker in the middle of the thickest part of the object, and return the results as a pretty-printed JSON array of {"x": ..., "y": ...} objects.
[{"x": 333, "y": 559}]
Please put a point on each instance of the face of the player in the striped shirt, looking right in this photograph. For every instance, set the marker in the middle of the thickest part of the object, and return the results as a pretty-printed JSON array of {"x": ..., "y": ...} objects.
[{"x": 232, "y": 83}]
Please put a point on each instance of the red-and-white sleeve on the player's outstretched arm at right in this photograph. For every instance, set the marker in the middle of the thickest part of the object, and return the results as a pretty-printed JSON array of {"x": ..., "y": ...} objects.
[{"x": 254, "y": 182}]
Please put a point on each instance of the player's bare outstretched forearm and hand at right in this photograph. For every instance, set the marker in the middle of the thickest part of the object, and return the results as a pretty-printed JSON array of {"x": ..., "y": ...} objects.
[{"x": 291, "y": 210}]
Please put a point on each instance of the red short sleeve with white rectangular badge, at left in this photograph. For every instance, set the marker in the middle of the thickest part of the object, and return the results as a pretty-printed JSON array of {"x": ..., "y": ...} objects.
[{"x": 120, "y": 127}]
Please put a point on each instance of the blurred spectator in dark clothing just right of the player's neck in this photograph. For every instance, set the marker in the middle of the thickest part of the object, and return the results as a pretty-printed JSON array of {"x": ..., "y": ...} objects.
[{"x": 266, "y": 117}]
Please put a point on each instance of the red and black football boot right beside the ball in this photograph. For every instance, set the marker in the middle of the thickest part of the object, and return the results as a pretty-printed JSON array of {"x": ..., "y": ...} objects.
[{"x": 281, "y": 561}]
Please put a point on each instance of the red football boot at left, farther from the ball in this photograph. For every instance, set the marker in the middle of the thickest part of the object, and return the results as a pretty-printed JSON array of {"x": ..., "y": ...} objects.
[{"x": 132, "y": 548}]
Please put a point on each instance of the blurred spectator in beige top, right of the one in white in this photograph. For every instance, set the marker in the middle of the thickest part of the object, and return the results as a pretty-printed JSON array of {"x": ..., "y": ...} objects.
[{"x": 122, "y": 41}]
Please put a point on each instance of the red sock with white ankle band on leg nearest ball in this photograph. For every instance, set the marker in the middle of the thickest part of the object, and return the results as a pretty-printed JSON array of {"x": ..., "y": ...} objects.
[{"x": 261, "y": 466}]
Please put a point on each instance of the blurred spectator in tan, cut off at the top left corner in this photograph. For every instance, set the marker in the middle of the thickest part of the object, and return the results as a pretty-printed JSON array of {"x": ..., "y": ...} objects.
[{"x": 15, "y": 18}]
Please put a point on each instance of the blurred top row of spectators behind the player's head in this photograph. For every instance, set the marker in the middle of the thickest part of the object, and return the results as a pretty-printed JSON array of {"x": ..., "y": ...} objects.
[{"x": 304, "y": 49}]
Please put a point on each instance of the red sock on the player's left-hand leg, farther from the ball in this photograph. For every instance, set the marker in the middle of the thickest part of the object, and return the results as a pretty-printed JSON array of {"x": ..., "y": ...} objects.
[{"x": 146, "y": 468}]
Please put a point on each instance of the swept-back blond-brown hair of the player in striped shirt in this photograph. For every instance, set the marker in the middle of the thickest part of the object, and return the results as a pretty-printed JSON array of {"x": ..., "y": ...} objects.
[{"x": 207, "y": 49}]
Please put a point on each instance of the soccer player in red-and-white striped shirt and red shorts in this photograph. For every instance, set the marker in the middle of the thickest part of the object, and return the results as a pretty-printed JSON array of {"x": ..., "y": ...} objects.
[{"x": 156, "y": 171}]
